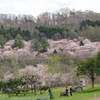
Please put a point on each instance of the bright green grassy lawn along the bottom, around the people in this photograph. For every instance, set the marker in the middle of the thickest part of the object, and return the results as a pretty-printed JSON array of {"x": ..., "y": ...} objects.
[{"x": 86, "y": 94}]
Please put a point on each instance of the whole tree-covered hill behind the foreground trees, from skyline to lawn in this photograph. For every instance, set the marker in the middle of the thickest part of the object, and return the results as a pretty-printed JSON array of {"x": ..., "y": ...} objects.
[{"x": 55, "y": 40}]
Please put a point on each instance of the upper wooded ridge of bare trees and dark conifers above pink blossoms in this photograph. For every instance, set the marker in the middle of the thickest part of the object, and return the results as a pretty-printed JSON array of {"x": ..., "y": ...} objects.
[{"x": 64, "y": 23}]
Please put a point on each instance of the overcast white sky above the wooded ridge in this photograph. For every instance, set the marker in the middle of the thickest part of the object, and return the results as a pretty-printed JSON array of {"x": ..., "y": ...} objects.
[{"x": 36, "y": 7}]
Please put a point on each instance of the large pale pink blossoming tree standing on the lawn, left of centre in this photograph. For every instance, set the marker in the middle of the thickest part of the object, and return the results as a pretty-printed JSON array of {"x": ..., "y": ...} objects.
[{"x": 32, "y": 75}]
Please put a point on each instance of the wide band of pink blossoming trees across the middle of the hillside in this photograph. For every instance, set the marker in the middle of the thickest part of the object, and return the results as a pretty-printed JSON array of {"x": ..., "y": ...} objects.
[{"x": 64, "y": 45}]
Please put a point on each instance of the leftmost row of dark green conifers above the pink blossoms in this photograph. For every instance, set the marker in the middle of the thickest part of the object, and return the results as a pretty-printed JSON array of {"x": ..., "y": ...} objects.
[{"x": 11, "y": 33}]
